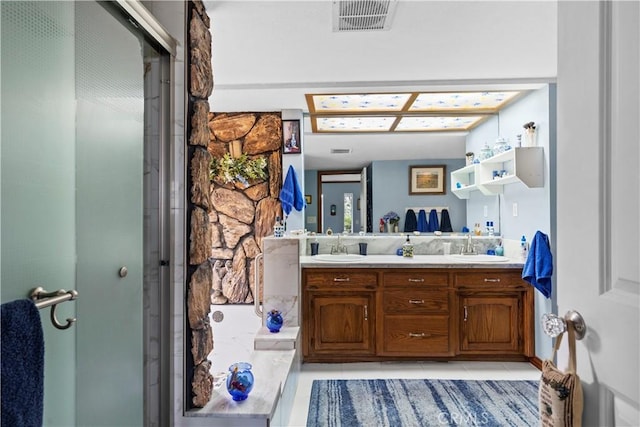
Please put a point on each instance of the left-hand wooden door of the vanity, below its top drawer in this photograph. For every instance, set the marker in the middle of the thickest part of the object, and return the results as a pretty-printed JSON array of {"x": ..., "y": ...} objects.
[{"x": 342, "y": 324}]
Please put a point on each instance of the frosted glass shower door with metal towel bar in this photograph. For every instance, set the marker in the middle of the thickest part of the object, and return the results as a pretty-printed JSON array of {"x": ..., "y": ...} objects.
[{"x": 73, "y": 129}]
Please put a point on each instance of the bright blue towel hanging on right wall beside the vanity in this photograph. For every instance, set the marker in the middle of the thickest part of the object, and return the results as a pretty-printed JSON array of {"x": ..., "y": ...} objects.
[{"x": 538, "y": 268}]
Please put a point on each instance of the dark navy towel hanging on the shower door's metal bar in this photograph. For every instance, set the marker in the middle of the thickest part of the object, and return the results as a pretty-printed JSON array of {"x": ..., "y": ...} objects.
[{"x": 22, "y": 360}]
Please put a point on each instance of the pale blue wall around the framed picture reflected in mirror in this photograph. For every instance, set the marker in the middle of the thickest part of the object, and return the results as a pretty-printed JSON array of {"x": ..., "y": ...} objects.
[{"x": 391, "y": 191}]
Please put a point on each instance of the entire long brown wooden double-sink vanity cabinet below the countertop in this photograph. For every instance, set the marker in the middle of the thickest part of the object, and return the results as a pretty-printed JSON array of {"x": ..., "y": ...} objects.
[{"x": 364, "y": 314}]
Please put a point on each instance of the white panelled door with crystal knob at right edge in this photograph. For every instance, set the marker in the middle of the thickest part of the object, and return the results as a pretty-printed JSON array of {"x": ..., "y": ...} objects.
[{"x": 598, "y": 191}]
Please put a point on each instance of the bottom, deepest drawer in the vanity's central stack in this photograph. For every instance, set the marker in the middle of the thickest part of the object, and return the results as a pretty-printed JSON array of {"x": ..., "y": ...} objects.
[{"x": 412, "y": 335}]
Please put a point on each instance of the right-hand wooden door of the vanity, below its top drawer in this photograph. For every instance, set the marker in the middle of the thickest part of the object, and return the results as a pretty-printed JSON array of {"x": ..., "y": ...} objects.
[{"x": 490, "y": 323}]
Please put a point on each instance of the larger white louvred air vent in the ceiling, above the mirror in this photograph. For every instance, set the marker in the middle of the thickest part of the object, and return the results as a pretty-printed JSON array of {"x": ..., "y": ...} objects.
[{"x": 363, "y": 15}]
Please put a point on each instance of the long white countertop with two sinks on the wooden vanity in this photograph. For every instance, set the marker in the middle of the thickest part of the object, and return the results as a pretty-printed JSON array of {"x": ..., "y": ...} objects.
[{"x": 418, "y": 261}]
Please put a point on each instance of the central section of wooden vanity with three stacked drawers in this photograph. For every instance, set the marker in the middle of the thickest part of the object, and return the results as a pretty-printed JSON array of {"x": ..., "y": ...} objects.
[{"x": 415, "y": 319}]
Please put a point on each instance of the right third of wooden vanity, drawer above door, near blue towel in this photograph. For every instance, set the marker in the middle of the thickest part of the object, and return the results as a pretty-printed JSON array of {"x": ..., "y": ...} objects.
[{"x": 495, "y": 314}]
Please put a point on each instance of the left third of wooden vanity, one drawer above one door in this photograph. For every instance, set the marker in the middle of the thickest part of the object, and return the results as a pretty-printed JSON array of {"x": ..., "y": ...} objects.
[{"x": 339, "y": 309}]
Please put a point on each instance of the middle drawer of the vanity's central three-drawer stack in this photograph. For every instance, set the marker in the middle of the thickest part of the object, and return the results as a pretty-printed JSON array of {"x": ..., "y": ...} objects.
[{"x": 409, "y": 301}]
